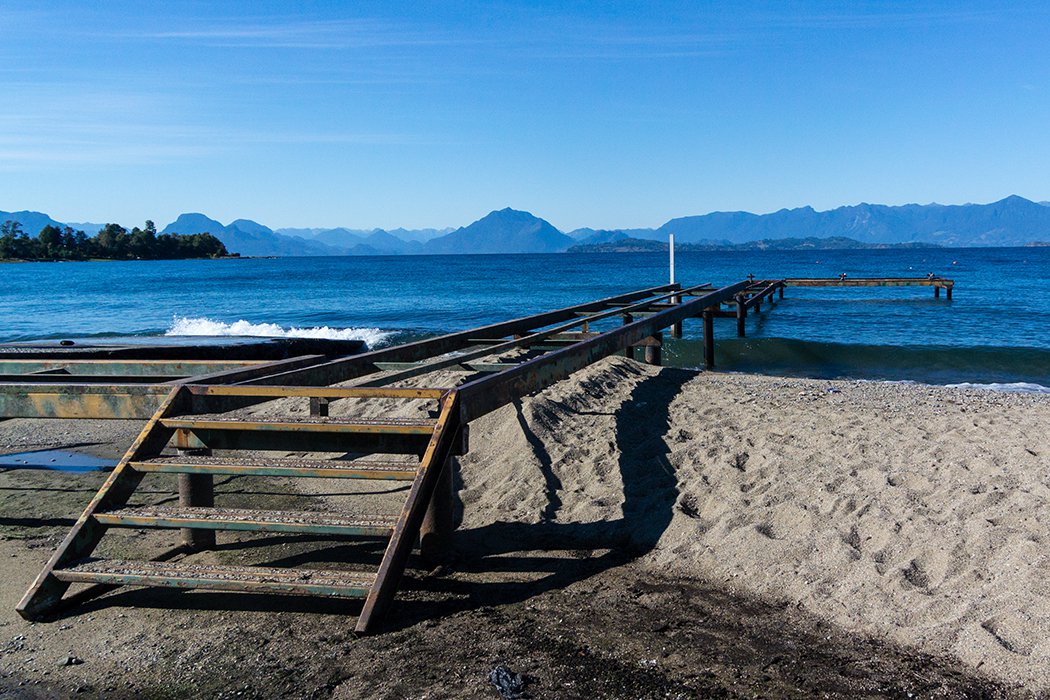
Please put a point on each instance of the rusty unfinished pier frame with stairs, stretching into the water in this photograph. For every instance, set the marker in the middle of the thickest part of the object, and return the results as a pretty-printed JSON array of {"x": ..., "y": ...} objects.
[{"x": 196, "y": 430}]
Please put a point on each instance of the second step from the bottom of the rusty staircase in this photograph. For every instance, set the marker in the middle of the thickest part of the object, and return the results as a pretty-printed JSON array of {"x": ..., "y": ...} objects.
[{"x": 256, "y": 521}]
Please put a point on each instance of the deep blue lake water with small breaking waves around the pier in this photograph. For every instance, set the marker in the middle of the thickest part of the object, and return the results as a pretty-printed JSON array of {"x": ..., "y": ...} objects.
[{"x": 996, "y": 329}]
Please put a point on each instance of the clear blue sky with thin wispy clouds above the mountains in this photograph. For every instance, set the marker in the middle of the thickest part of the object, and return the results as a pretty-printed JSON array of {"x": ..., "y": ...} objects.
[{"x": 606, "y": 115}]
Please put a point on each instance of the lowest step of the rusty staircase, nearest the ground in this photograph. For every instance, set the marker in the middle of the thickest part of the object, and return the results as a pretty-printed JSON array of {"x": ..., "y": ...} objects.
[{"x": 259, "y": 580}]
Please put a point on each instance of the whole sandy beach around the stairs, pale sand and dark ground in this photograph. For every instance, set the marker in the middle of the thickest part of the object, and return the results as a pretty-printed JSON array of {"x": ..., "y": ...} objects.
[{"x": 670, "y": 527}]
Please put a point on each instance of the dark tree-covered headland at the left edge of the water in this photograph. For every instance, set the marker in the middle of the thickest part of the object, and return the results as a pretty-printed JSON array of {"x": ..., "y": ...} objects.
[{"x": 113, "y": 243}]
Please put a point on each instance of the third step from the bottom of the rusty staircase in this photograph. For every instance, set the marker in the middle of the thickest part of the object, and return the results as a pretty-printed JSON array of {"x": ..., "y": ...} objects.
[{"x": 280, "y": 468}]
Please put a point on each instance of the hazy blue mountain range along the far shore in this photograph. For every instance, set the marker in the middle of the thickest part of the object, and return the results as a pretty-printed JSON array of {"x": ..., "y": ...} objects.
[{"x": 1011, "y": 222}]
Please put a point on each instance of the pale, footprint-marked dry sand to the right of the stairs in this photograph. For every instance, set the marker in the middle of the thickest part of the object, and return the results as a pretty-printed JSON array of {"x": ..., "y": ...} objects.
[{"x": 905, "y": 512}]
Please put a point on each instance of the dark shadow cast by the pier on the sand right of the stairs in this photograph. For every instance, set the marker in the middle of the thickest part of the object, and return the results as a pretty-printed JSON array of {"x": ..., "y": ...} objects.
[{"x": 650, "y": 494}]
